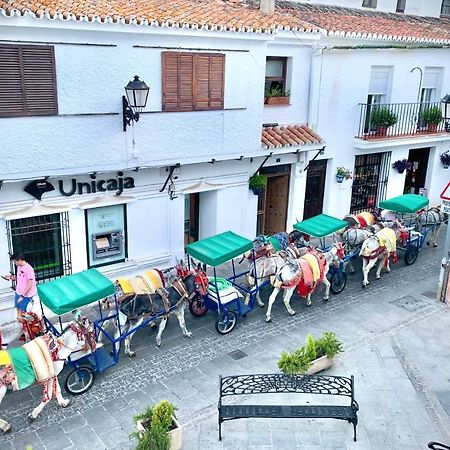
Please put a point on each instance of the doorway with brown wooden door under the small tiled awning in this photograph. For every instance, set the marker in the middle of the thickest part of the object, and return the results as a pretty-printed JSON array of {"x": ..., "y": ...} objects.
[{"x": 273, "y": 200}]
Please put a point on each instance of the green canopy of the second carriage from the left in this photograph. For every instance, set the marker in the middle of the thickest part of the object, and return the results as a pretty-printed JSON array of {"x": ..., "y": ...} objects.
[{"x": 220, "y": 248}]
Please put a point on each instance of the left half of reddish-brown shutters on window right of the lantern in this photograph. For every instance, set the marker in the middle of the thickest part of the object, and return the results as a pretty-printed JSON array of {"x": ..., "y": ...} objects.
[{"x": 177, "y": 72}]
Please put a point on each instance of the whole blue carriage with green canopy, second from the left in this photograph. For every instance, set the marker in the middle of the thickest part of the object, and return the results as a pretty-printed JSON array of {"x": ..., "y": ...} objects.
[{"x": 229, "y": 297}]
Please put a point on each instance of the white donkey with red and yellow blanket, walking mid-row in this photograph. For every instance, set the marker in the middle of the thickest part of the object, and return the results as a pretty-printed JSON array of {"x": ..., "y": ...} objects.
[{"x": 291, "y": 275}]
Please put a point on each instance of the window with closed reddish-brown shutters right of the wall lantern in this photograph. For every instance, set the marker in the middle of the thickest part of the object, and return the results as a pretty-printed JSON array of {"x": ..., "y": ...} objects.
[{"x": 192, "y": 81}]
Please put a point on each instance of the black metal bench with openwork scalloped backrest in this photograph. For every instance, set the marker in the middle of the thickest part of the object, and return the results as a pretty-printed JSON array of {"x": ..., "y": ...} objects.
[{"x": 288, "y": 384}]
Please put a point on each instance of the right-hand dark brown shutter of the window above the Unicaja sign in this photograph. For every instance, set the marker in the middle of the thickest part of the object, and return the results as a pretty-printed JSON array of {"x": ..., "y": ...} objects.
[{"x": 40, "y": 80}]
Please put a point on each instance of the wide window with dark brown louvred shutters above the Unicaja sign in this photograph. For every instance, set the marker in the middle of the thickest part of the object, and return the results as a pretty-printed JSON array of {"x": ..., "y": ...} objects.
[{"x": 27, "y": 81}]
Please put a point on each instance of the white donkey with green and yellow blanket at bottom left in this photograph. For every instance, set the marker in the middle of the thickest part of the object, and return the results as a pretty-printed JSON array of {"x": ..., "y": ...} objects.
[{"x": 76, "y": 336}]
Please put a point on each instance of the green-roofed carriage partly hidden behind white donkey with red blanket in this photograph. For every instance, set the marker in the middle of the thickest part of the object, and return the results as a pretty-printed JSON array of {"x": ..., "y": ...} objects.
[{"x": 321, "y": 227}]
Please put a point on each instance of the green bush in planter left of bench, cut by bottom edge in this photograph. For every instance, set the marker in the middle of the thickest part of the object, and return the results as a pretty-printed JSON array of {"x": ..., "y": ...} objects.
[{"x": 157, "y": 421}]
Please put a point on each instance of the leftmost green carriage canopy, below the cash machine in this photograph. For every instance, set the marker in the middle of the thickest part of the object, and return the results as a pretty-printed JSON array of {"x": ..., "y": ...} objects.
[{"x": 73, "y": 291}]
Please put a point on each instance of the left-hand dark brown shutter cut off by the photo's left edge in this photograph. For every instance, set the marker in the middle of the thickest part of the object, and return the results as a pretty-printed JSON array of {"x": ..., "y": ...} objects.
[{"x": 11, "y": 93}]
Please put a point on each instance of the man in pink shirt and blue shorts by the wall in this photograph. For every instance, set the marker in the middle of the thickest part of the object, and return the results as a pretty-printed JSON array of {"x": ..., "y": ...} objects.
[{"x": 25, "y": 284}]
